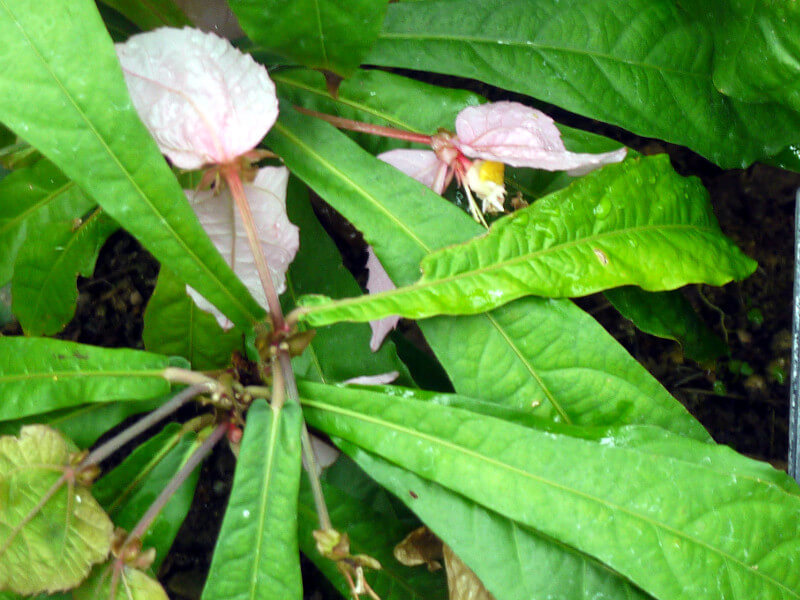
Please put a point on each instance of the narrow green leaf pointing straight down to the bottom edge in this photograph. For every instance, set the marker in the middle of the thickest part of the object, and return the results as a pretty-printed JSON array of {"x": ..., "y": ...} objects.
[{"x": 257, "y": 554}]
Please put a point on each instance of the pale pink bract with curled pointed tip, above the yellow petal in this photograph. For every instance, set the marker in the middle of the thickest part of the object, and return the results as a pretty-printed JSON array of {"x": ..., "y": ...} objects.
[{"x": 520, "y": 136}]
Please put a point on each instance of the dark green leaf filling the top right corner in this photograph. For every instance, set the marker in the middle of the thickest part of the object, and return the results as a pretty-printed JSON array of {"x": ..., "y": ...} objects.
[{"x": 756, "y": 49}]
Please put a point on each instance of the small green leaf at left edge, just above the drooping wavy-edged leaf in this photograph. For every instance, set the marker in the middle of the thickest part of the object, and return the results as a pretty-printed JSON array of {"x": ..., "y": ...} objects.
[{"x": 29, "y": 199}]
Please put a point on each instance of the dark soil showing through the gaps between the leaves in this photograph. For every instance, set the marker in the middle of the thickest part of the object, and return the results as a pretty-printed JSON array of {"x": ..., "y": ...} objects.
[{"x": 742, "y": 399}]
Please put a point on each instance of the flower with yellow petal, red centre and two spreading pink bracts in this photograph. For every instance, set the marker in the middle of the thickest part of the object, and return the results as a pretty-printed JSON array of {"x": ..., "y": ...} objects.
[{"x": 498, "y": 134}]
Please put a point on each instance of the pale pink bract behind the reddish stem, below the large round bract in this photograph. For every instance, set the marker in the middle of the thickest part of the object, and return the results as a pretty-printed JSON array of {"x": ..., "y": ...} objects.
[{"x": 278, "y": 236}]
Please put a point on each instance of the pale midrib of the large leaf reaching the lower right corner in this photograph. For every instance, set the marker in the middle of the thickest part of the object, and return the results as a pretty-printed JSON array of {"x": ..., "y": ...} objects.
[{"x": 497, "y": 464}]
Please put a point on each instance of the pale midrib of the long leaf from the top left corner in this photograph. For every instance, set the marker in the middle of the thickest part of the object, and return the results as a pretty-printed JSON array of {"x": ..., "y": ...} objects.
[{"x": 173, "y": 234}]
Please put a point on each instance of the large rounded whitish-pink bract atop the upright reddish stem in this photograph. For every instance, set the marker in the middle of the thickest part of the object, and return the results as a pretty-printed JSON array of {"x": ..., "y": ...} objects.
[{"x": 203, "y": 101}]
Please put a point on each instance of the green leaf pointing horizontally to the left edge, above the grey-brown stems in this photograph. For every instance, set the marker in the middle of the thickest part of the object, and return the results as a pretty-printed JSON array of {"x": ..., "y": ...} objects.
[{"x": 38, "y": 375}]
